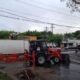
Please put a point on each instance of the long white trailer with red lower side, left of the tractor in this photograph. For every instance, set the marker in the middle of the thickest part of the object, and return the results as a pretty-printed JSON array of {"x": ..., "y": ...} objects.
[{"x": 12, "y": 50}]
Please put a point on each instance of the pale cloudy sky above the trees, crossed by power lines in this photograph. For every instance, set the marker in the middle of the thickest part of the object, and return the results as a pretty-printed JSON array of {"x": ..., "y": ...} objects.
[{"x": 49, "y": 11}]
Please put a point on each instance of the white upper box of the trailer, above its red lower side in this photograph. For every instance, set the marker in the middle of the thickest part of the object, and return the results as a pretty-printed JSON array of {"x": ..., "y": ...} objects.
[{"x": 13, "y": 46}]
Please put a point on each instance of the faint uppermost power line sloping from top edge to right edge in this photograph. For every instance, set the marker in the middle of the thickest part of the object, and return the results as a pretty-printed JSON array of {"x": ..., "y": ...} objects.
[{"x": 51, "y": 10}]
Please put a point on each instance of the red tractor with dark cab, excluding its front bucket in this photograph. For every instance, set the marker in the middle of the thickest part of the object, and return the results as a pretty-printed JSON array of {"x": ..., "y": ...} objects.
[{"x": 44, "y": 53}]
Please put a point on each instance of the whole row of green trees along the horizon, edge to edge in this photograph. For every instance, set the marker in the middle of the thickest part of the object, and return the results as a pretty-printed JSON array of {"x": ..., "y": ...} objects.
[{"x": 57, "y": 38}]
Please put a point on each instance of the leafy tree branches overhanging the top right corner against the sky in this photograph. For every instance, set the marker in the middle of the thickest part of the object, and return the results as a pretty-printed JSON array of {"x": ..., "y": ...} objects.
[{"x": 74, "y": 5}]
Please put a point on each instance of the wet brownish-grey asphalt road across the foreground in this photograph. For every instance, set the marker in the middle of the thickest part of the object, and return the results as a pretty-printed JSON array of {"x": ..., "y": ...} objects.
[{"x": 56, "y": 72}]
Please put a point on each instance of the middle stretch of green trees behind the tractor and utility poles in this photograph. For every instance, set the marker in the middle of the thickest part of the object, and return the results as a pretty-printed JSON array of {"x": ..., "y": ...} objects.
[{"x": 44, "y": 35}]
